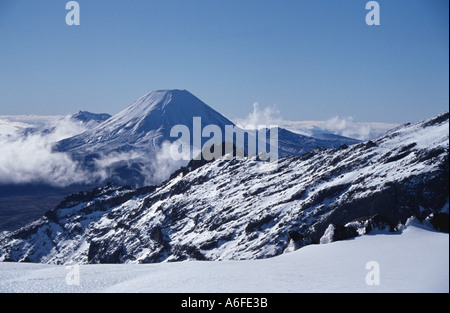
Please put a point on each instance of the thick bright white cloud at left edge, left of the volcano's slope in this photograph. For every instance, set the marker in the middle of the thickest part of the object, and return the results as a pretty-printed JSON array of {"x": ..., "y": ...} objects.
[{"x": 27, "y": 157}]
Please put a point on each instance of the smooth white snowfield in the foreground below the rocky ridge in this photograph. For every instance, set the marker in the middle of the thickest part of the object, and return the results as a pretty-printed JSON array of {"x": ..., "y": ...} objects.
[{"x": 415, "y": 261}]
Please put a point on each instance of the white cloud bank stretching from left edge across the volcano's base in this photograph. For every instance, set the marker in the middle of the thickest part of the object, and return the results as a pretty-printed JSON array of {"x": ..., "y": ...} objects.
[{"x": 27, "y": 155}]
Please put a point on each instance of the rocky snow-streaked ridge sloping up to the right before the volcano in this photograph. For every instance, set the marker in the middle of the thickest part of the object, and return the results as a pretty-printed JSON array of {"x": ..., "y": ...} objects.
[{"x": 248, "y": 209}]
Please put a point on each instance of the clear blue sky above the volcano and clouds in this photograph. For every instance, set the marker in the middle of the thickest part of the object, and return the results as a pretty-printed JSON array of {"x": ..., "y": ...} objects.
[{"x": 313, "y": 59}]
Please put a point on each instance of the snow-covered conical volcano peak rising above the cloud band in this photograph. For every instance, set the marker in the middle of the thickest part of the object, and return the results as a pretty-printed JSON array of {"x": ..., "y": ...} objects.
[{"x": 146, "y": 122}]
